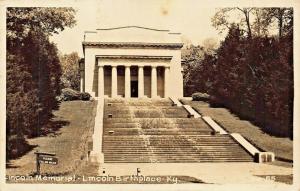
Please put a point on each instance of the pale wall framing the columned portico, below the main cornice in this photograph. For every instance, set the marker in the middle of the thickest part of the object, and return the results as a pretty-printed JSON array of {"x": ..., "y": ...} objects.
[{"x": 175, "y": 76}]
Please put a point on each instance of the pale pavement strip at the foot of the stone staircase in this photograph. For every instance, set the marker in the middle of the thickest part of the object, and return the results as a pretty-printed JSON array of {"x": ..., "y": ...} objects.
[{"x": 214, "y": 173}]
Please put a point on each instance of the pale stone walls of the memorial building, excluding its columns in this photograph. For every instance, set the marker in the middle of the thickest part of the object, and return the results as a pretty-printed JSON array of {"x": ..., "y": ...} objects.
[{"x": 129, "y": 35}]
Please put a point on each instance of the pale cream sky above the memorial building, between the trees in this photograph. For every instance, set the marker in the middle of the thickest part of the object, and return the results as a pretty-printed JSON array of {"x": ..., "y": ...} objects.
[{"x": 192, "y": 19}]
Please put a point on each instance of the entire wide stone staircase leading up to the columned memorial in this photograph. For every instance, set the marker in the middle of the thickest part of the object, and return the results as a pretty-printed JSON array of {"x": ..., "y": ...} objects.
[{"x": 145, "y": 130}]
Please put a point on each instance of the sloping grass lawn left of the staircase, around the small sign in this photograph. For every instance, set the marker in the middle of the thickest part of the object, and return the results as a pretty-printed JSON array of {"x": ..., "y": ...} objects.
[{"x": 74, "y": 123}]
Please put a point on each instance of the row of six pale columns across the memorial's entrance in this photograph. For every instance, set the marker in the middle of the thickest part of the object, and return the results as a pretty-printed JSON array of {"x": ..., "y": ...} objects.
[{"x": 114, "y": 82}]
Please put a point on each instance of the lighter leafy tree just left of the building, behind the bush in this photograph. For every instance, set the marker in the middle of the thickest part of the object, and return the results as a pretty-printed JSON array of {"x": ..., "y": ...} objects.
[{"x": 70, "y": 71}]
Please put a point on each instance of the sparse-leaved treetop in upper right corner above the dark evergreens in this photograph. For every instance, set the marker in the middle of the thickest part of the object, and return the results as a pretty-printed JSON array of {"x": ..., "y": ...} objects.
[{"x": 255, "y": 21}]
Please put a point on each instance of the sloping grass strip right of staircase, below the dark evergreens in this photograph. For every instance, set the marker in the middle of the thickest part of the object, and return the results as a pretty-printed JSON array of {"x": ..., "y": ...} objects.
[{"x": 282, "y": 147}]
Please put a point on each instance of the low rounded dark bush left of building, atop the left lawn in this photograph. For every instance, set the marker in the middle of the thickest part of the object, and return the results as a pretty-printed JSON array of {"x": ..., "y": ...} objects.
[{"x": 69, "y": 94}]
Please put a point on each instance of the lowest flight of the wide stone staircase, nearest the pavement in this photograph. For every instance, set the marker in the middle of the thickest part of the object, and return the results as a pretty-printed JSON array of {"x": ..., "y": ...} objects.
[{"x": 170, "y": 149}]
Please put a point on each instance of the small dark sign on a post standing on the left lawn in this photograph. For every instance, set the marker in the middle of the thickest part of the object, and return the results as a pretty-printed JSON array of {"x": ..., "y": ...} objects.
[{"x": 46, "y": 158}]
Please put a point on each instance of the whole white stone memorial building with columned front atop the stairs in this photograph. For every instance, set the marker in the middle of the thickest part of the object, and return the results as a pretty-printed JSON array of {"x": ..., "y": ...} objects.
[{"x": 132, "y": 62}]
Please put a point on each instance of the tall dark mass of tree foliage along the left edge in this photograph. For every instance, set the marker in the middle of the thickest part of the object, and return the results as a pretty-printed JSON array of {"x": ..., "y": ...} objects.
[{"x": 33, "y": 70}]
